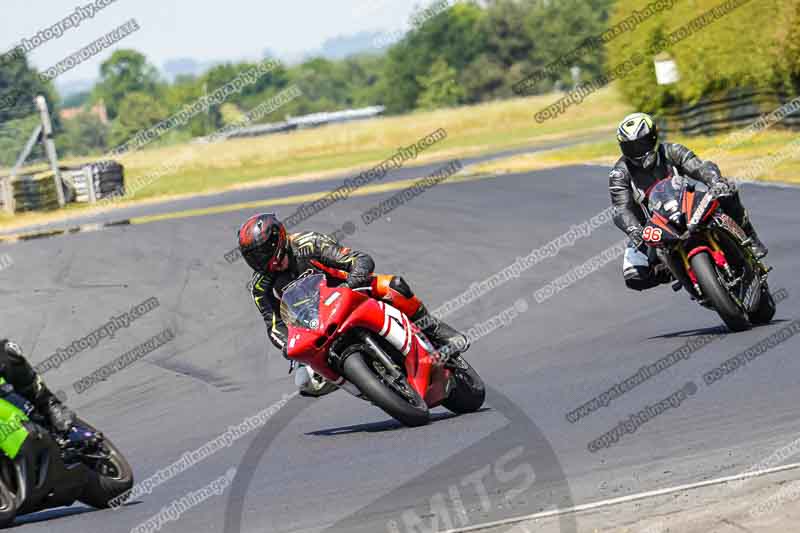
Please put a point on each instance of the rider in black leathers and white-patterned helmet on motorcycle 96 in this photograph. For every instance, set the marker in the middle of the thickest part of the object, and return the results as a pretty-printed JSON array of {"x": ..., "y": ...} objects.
[{"x": 645, "y": 162}]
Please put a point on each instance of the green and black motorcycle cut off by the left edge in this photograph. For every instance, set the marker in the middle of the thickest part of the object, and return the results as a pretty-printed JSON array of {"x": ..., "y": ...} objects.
[{"x": 39, "y": 470}]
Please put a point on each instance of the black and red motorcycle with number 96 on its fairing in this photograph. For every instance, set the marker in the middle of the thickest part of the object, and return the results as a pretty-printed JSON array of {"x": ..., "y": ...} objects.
[{"x": 708, "y": 253}]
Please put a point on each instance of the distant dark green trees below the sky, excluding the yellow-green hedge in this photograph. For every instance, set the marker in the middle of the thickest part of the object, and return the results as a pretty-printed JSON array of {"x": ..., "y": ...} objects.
[{"x": 456, "y": 52}]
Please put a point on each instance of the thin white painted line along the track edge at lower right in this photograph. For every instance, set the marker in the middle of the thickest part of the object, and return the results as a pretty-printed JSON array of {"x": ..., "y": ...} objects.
[{"x": 625, "y": 499}]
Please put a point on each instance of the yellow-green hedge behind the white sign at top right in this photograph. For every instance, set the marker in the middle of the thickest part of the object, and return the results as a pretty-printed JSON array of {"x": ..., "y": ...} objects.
[{"x": 754, "y": 46}]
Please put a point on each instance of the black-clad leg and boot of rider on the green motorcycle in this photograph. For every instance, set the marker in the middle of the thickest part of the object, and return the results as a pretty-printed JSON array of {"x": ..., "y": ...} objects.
[{"x": 27, "y": 383}]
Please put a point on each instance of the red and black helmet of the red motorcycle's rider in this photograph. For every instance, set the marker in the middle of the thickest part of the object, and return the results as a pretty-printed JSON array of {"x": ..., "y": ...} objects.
[{"x": 262, "y": 241}]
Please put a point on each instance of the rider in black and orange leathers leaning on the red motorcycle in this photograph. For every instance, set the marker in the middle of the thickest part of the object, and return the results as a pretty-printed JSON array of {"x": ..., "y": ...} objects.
[{"x": 279, "y": 258}]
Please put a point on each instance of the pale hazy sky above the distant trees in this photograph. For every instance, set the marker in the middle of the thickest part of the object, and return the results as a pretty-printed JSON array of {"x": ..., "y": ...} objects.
[{"x": 200, "y": 30}]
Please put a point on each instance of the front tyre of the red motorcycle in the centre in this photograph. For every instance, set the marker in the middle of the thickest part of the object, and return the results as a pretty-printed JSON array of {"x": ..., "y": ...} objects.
[{"x": 408, "y": 408}]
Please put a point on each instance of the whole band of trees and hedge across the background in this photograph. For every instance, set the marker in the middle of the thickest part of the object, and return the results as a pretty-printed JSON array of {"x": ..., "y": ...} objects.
[{"x": 466, "y": 53}]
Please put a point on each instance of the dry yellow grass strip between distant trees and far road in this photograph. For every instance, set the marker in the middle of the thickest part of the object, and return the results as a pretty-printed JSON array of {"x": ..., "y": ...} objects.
[{"x": 332, "y": 150}]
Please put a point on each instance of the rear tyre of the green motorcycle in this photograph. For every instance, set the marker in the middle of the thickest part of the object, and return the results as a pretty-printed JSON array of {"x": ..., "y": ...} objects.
[{"x": 108, "y": 479}]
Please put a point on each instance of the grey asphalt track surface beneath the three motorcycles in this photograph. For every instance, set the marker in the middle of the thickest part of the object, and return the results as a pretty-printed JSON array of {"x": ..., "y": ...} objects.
[{"x": 339, "y": 464}]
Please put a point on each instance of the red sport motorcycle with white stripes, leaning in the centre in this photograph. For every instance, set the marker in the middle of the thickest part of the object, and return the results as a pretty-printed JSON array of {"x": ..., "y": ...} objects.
[{"x": 373, "y": 351}]
